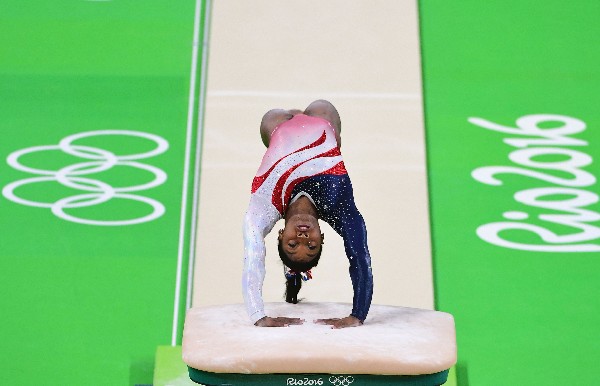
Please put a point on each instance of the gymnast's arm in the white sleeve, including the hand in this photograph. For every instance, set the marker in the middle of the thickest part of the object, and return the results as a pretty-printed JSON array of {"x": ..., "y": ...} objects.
[{"x": 260, "y": 218}]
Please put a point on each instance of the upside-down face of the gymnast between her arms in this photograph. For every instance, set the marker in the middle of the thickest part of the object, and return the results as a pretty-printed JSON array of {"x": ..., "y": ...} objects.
[{"x": 301, "y": 238}]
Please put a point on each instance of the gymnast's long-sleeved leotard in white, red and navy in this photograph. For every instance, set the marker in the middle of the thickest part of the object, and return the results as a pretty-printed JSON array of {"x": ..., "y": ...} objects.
[{"x": 303, "y": 156}]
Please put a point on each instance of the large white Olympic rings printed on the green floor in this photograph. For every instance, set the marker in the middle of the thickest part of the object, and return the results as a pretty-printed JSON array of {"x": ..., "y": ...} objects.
[{"x": 96, "y": 192}]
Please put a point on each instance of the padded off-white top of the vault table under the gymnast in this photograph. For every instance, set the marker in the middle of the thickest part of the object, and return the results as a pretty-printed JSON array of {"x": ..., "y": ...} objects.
[{"x": 393, "y": 341}]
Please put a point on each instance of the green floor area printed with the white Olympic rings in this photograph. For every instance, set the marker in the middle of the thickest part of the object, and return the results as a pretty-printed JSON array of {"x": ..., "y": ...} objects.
[{"x": 87, "y": 304}]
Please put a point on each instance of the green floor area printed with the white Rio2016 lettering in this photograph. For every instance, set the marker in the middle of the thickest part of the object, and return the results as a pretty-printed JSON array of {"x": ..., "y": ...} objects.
[{"x": 525, "y": 298}]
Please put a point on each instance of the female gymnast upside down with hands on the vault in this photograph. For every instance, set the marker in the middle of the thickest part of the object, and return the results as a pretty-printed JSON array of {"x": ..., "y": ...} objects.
[{"x": 302, "y": 178}]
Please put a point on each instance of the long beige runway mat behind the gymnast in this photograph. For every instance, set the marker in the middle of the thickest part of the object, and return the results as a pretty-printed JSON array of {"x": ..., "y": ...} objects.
[{"x": 364, "y": 58}]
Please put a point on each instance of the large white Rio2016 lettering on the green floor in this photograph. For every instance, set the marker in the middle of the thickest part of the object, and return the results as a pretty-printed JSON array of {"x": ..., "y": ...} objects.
[{"x": 548, "y": 156}]
